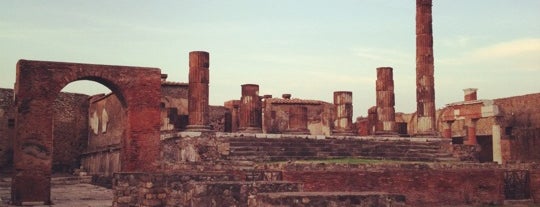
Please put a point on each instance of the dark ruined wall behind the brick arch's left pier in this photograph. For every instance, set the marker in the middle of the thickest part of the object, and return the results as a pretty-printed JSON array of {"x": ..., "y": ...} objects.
[{"x": 70, "y": 130}]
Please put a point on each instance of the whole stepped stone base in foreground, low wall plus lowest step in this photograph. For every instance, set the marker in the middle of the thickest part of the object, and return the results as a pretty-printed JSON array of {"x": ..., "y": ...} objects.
[{"x": 247, "y": 189}]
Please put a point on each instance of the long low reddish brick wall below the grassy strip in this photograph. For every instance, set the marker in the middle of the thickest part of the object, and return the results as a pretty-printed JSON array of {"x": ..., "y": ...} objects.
[{"x": 420, "y": 185}]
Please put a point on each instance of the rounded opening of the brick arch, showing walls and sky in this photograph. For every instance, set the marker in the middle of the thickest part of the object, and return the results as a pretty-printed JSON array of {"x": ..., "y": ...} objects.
[{"x": 88, "y": 129}]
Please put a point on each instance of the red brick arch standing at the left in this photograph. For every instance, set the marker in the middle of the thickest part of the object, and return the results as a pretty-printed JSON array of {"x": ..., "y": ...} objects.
[{"x": 37, "y": 86}]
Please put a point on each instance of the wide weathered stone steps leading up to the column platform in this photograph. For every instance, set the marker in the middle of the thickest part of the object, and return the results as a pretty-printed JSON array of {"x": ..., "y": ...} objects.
[{"x": 284, "y": 149}]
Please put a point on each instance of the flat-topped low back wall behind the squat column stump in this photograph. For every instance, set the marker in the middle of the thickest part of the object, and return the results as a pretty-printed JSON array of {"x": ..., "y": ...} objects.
[{"x": 319, "y": 115}]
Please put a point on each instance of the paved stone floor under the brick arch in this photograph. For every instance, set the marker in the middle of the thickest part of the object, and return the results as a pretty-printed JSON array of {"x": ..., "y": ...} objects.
[{"x": 67, "y": 195}]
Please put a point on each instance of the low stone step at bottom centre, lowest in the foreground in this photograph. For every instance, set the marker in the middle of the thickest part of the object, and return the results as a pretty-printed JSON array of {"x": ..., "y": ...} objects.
[{"x": 342, "y": 199}]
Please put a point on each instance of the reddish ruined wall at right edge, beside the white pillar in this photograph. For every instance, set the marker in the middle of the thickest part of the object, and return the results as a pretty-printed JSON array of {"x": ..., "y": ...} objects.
[{"x": 520, "y": 125}]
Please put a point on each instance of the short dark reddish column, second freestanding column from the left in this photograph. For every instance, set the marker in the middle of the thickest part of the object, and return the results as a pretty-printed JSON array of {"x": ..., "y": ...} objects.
[{"x": 250, "y": 109}]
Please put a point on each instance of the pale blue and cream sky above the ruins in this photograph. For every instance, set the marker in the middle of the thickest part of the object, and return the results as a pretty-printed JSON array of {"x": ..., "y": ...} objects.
[{"x": 309, "y": 48}]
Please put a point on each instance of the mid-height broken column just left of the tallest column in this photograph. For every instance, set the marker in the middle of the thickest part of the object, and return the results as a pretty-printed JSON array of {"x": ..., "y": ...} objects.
[{"x": 386, "y": 116}]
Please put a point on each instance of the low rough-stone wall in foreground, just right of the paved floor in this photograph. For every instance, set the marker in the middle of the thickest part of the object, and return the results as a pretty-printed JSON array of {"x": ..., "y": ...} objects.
[{"x": 190, "y": 189}]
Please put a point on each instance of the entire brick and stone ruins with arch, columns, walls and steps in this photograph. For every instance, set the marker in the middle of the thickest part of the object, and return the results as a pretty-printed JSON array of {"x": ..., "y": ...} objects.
[{"x": 158, "y": 142}]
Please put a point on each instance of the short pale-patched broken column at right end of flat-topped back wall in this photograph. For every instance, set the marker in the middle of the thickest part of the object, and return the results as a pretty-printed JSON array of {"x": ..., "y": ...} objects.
[{"x": 343, "y": 120}]
